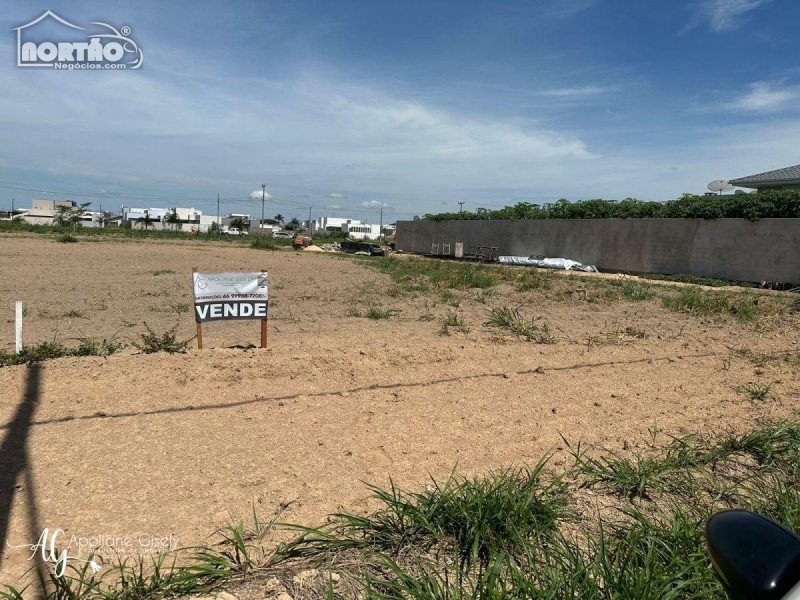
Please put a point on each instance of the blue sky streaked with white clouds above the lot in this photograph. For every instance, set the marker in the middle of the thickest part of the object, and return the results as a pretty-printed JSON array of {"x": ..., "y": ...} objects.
[{"x": 346, "y": 106}]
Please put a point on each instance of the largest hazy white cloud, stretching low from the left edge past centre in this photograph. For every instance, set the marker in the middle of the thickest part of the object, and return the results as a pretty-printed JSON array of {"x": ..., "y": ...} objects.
[{"x": 362, "y": 139}]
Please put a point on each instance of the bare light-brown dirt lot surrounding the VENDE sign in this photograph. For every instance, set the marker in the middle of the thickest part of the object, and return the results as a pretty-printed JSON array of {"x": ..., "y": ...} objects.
[{"x": 166, "y": 445}]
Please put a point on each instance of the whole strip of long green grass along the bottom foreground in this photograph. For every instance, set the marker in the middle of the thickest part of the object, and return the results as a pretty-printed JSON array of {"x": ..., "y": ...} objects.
[{"x": 636, "y": 531}]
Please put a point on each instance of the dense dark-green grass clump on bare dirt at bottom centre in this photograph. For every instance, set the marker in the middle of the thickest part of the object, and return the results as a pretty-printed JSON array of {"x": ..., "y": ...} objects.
[{"x": 471, "y": 519}]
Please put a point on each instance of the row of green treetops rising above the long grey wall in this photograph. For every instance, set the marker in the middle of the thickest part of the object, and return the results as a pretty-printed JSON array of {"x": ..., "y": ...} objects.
[{"x": 768, "y": 204}]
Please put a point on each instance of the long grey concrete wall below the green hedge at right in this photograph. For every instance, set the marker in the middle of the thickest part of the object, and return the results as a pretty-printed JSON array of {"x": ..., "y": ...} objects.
[{"x": 763, "y": 250}]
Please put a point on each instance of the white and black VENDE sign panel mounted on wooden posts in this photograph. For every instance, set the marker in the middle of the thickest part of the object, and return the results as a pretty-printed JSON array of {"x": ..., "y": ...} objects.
[{"x": 225, "y": 296}]
